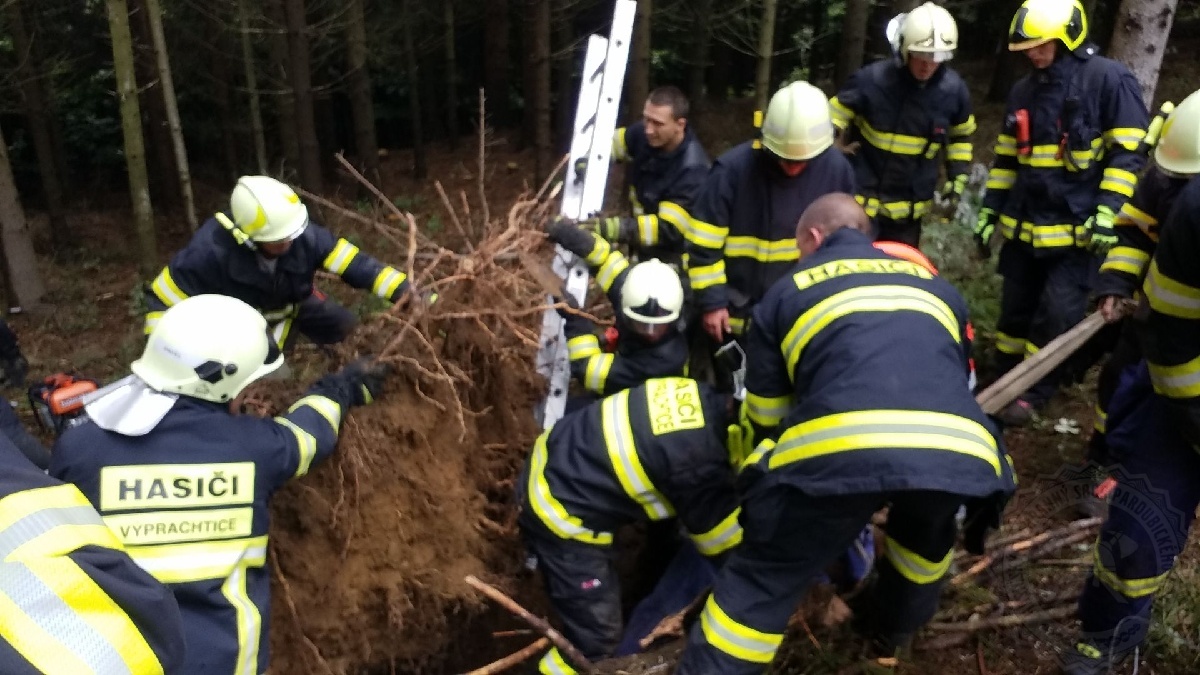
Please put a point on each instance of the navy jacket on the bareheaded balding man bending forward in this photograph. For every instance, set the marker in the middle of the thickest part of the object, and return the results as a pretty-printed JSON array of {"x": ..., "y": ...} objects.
[{"x": 857, "y": 380}]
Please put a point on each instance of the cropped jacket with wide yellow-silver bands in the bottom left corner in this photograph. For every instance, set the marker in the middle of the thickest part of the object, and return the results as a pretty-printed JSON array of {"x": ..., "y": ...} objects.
[{"x": 74, "y": 601}]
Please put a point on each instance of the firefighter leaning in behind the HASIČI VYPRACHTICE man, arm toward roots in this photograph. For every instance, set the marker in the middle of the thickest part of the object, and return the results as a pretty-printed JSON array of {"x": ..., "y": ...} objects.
[{"x": 267, "y": 252}]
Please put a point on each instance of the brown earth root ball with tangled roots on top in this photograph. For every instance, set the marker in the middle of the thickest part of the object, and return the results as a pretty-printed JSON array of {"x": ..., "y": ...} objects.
[{"x": 370, "y": 551}]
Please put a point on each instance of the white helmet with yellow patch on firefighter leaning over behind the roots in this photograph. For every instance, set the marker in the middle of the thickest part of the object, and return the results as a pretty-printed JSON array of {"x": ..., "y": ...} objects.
[{"x": 267, "y": 210}]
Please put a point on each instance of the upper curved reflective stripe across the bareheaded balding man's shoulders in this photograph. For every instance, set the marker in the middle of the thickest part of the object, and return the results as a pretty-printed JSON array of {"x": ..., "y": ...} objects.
[{"x": 865, "y": 300}]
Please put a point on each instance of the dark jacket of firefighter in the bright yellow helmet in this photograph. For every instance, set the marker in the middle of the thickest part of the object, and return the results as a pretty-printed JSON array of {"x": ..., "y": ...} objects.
[{"x": 1087, "y": 121}]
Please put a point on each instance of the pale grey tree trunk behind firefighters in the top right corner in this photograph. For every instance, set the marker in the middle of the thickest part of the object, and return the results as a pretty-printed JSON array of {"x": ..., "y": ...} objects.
[{"x": 1139, "y": 39}]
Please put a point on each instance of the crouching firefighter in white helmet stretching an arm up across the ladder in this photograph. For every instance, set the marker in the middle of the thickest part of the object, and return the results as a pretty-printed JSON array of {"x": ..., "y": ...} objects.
[{"x": 646, "y": 298}]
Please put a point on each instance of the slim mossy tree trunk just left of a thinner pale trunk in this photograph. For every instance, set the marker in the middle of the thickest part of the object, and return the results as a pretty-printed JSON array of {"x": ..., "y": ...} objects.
[{"x": 131, "y": 129}]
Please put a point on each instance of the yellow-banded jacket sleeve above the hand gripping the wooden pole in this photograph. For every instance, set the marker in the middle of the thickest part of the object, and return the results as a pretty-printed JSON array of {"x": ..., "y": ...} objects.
[{"x": 1137, "y": 228}]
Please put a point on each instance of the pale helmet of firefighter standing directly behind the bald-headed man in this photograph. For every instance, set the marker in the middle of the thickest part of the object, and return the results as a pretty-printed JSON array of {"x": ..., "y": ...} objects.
[{"x": 797, "y": 126}]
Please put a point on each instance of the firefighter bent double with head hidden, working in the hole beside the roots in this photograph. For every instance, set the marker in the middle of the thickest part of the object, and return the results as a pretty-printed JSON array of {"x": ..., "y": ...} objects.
[{"x": 650, "y": 453}]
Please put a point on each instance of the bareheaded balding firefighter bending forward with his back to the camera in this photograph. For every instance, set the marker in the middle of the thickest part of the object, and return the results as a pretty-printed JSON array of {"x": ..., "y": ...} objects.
[{"x": 857, "y": 392}]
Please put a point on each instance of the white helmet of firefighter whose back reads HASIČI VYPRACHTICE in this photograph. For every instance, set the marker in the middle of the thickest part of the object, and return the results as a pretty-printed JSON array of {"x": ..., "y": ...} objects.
[{"x": 208, "y": 348}]
